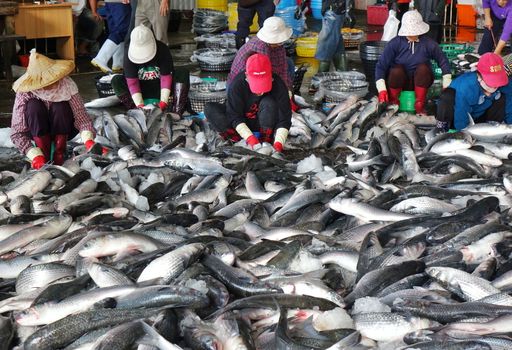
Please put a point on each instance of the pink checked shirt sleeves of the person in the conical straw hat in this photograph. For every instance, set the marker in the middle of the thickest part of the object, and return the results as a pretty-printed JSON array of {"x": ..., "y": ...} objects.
[{"x": 20, "y": 132}]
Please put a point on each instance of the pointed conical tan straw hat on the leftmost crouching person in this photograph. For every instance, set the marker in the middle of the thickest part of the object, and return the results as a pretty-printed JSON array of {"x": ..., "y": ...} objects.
[{"x": 41, "y": 72}]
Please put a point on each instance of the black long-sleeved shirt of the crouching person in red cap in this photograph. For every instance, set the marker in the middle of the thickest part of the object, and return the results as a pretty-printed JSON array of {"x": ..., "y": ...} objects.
[{"x": 242, "y": 105}]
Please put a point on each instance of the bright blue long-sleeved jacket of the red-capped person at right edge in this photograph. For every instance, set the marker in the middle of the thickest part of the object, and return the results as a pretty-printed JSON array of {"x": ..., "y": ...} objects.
[{"x": 470, "y": 99}]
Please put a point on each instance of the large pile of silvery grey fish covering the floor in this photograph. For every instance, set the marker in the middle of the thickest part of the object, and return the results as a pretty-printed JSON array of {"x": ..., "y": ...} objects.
[{"x": 369, "y": 231}]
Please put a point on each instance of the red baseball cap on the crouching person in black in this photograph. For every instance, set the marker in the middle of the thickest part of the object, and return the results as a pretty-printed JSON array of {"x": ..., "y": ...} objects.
[{"x": 258, "y": 70}]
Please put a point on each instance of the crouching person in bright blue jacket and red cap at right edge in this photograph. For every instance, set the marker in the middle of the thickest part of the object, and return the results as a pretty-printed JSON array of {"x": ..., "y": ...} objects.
[{"x": 485, "y": 95}]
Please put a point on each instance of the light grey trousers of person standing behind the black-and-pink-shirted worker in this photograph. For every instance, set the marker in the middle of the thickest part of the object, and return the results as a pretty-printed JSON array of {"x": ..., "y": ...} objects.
[{"x": 148, "y": 13}]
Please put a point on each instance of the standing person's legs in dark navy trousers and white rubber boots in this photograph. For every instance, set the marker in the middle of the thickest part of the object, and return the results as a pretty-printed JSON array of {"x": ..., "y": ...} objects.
[{"x": 118, "y": 21}]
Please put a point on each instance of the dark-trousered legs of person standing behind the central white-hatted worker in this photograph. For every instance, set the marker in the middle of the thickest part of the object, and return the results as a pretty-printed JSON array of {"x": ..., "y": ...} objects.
[{"x": 246, "y": 10}]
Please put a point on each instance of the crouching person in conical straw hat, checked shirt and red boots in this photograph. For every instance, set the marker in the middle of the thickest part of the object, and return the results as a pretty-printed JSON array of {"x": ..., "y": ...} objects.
[{"x": 48, "y": 108}]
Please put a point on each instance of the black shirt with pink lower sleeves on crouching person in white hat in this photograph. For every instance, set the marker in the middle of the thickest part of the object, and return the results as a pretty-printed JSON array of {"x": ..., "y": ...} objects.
[{"x": 150, "y": 77}]
